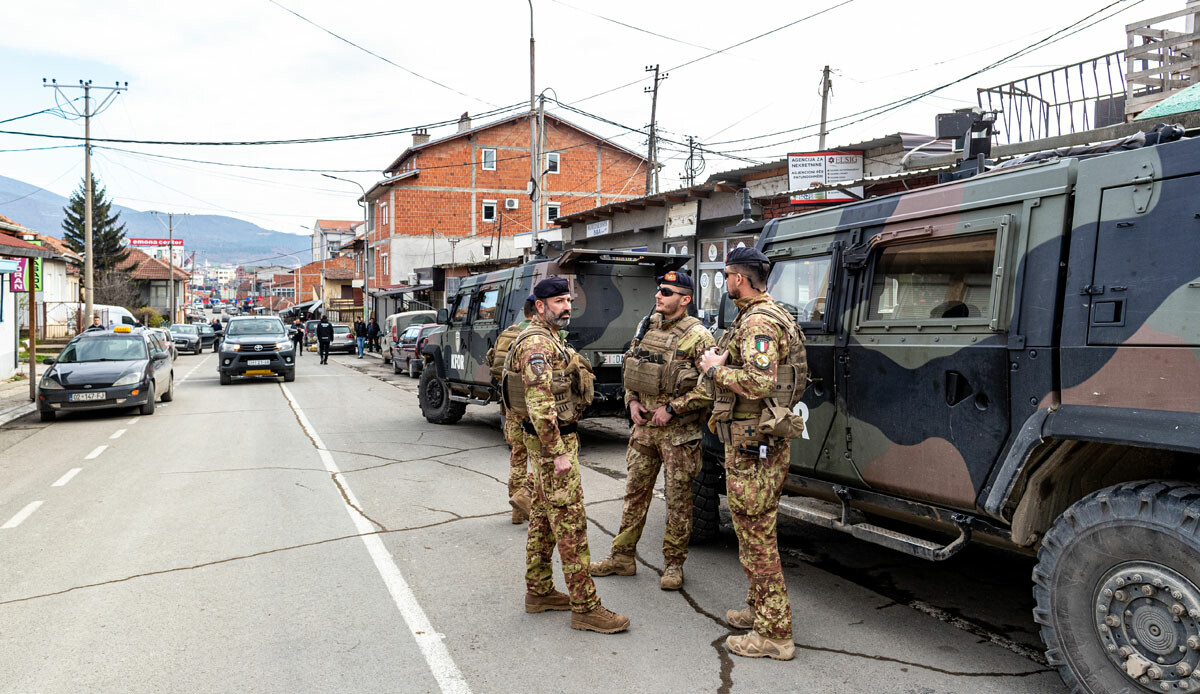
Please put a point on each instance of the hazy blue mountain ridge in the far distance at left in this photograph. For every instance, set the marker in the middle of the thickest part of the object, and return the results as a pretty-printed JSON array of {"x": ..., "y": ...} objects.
[{"x": 218, "y": 240}]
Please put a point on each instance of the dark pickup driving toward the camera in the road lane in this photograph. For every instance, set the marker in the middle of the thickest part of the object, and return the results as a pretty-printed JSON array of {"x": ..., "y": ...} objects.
[{"x": 256, "y": 346}]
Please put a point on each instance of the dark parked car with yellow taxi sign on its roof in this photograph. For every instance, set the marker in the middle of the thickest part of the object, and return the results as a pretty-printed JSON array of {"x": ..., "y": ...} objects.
[{"x": 100, "y": 369}]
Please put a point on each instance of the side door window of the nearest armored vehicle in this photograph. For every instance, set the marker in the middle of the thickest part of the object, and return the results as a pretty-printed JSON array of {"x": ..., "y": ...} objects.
[{"x": 949, "y": 278}]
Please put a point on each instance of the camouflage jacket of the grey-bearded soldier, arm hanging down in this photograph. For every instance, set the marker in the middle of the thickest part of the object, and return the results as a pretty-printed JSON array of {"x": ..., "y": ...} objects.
[{"x": 537, "y": 357}]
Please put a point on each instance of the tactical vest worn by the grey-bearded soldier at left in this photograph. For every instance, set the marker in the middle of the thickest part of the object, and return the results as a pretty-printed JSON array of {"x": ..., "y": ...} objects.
[{"x": 572, "y": 385}]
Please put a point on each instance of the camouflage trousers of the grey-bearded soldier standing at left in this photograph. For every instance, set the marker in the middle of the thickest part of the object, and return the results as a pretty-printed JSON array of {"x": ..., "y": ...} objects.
[{"x": 559, "y": 519}]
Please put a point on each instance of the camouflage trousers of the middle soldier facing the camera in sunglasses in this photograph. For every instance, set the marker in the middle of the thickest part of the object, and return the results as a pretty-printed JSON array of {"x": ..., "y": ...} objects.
[{"x": 676, "y": 450}]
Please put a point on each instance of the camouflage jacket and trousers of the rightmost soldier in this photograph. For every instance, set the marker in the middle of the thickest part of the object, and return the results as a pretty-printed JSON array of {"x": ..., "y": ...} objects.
[{"x": 754, "y": 483}]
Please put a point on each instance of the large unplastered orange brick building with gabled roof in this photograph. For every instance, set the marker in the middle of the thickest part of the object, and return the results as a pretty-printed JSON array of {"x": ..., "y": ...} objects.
[{"x": 454, "y": 196}]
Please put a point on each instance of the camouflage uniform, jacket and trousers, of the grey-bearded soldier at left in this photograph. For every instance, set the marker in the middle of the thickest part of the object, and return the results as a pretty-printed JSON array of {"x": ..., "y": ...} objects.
[{"x": 557, "y": 516}]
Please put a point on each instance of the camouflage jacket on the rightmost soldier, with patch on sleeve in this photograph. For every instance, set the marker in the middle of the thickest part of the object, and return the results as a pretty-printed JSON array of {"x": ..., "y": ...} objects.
[{"x": 755, "y": 346}]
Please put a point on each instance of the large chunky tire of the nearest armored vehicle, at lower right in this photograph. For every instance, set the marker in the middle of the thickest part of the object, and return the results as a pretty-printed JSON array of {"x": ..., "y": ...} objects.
[{"x": 1111, "y": 572}]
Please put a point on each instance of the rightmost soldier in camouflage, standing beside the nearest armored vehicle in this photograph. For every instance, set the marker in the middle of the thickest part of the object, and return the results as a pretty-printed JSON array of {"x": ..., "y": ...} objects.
[{"x": 755, "y": 465}]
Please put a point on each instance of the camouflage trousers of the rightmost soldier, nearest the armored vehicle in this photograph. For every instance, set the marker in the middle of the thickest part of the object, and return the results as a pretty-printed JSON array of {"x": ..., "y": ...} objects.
[{"x": 754, "y": 486}]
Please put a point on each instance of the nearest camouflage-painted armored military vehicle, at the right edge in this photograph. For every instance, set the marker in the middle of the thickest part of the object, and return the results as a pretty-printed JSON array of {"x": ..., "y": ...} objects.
[{"x": 1015, "y": 358}]
